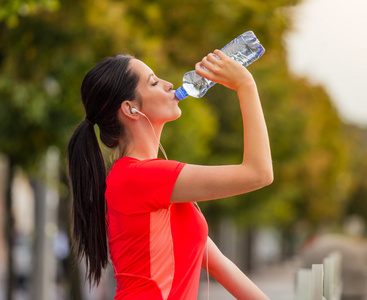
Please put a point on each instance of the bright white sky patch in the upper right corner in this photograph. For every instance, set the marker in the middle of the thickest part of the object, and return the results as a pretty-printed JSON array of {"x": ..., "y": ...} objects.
[{"x": 328, "y": 46}]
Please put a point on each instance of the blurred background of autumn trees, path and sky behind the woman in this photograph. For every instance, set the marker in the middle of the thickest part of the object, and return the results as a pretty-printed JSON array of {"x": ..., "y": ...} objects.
[{"x": 312, "y": 82}]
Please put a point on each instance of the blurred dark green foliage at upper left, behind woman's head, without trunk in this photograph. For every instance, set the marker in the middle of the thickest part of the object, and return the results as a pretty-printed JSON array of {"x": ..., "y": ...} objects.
[{"x": 41, "y": 67}]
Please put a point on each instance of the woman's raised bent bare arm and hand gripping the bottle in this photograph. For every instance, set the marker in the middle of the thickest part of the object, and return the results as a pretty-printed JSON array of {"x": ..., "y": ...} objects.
[{"x": 200, "y": 183}]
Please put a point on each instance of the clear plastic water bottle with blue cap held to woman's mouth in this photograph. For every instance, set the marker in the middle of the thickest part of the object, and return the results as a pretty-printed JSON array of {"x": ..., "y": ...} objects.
[{"x": 244, "y": 49}]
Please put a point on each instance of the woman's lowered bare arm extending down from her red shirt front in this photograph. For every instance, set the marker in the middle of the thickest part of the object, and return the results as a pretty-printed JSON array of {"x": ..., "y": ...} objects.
[{"x": 230, "y": 276}]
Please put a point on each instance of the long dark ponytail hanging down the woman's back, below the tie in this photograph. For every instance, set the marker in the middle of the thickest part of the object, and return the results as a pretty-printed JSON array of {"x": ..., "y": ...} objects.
[{"x": 87, "y": 173}]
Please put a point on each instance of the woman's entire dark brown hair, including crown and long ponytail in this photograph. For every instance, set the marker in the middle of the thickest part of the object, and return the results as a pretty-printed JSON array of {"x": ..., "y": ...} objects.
[{"x": 103, "y": 90}]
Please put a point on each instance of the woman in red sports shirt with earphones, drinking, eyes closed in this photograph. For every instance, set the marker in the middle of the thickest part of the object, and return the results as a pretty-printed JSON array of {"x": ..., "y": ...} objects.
[{"x": 157, "y": 237}]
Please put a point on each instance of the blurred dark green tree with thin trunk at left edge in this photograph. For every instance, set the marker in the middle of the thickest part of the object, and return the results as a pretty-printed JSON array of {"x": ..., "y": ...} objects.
[{"x": 33, "y": 104}]
